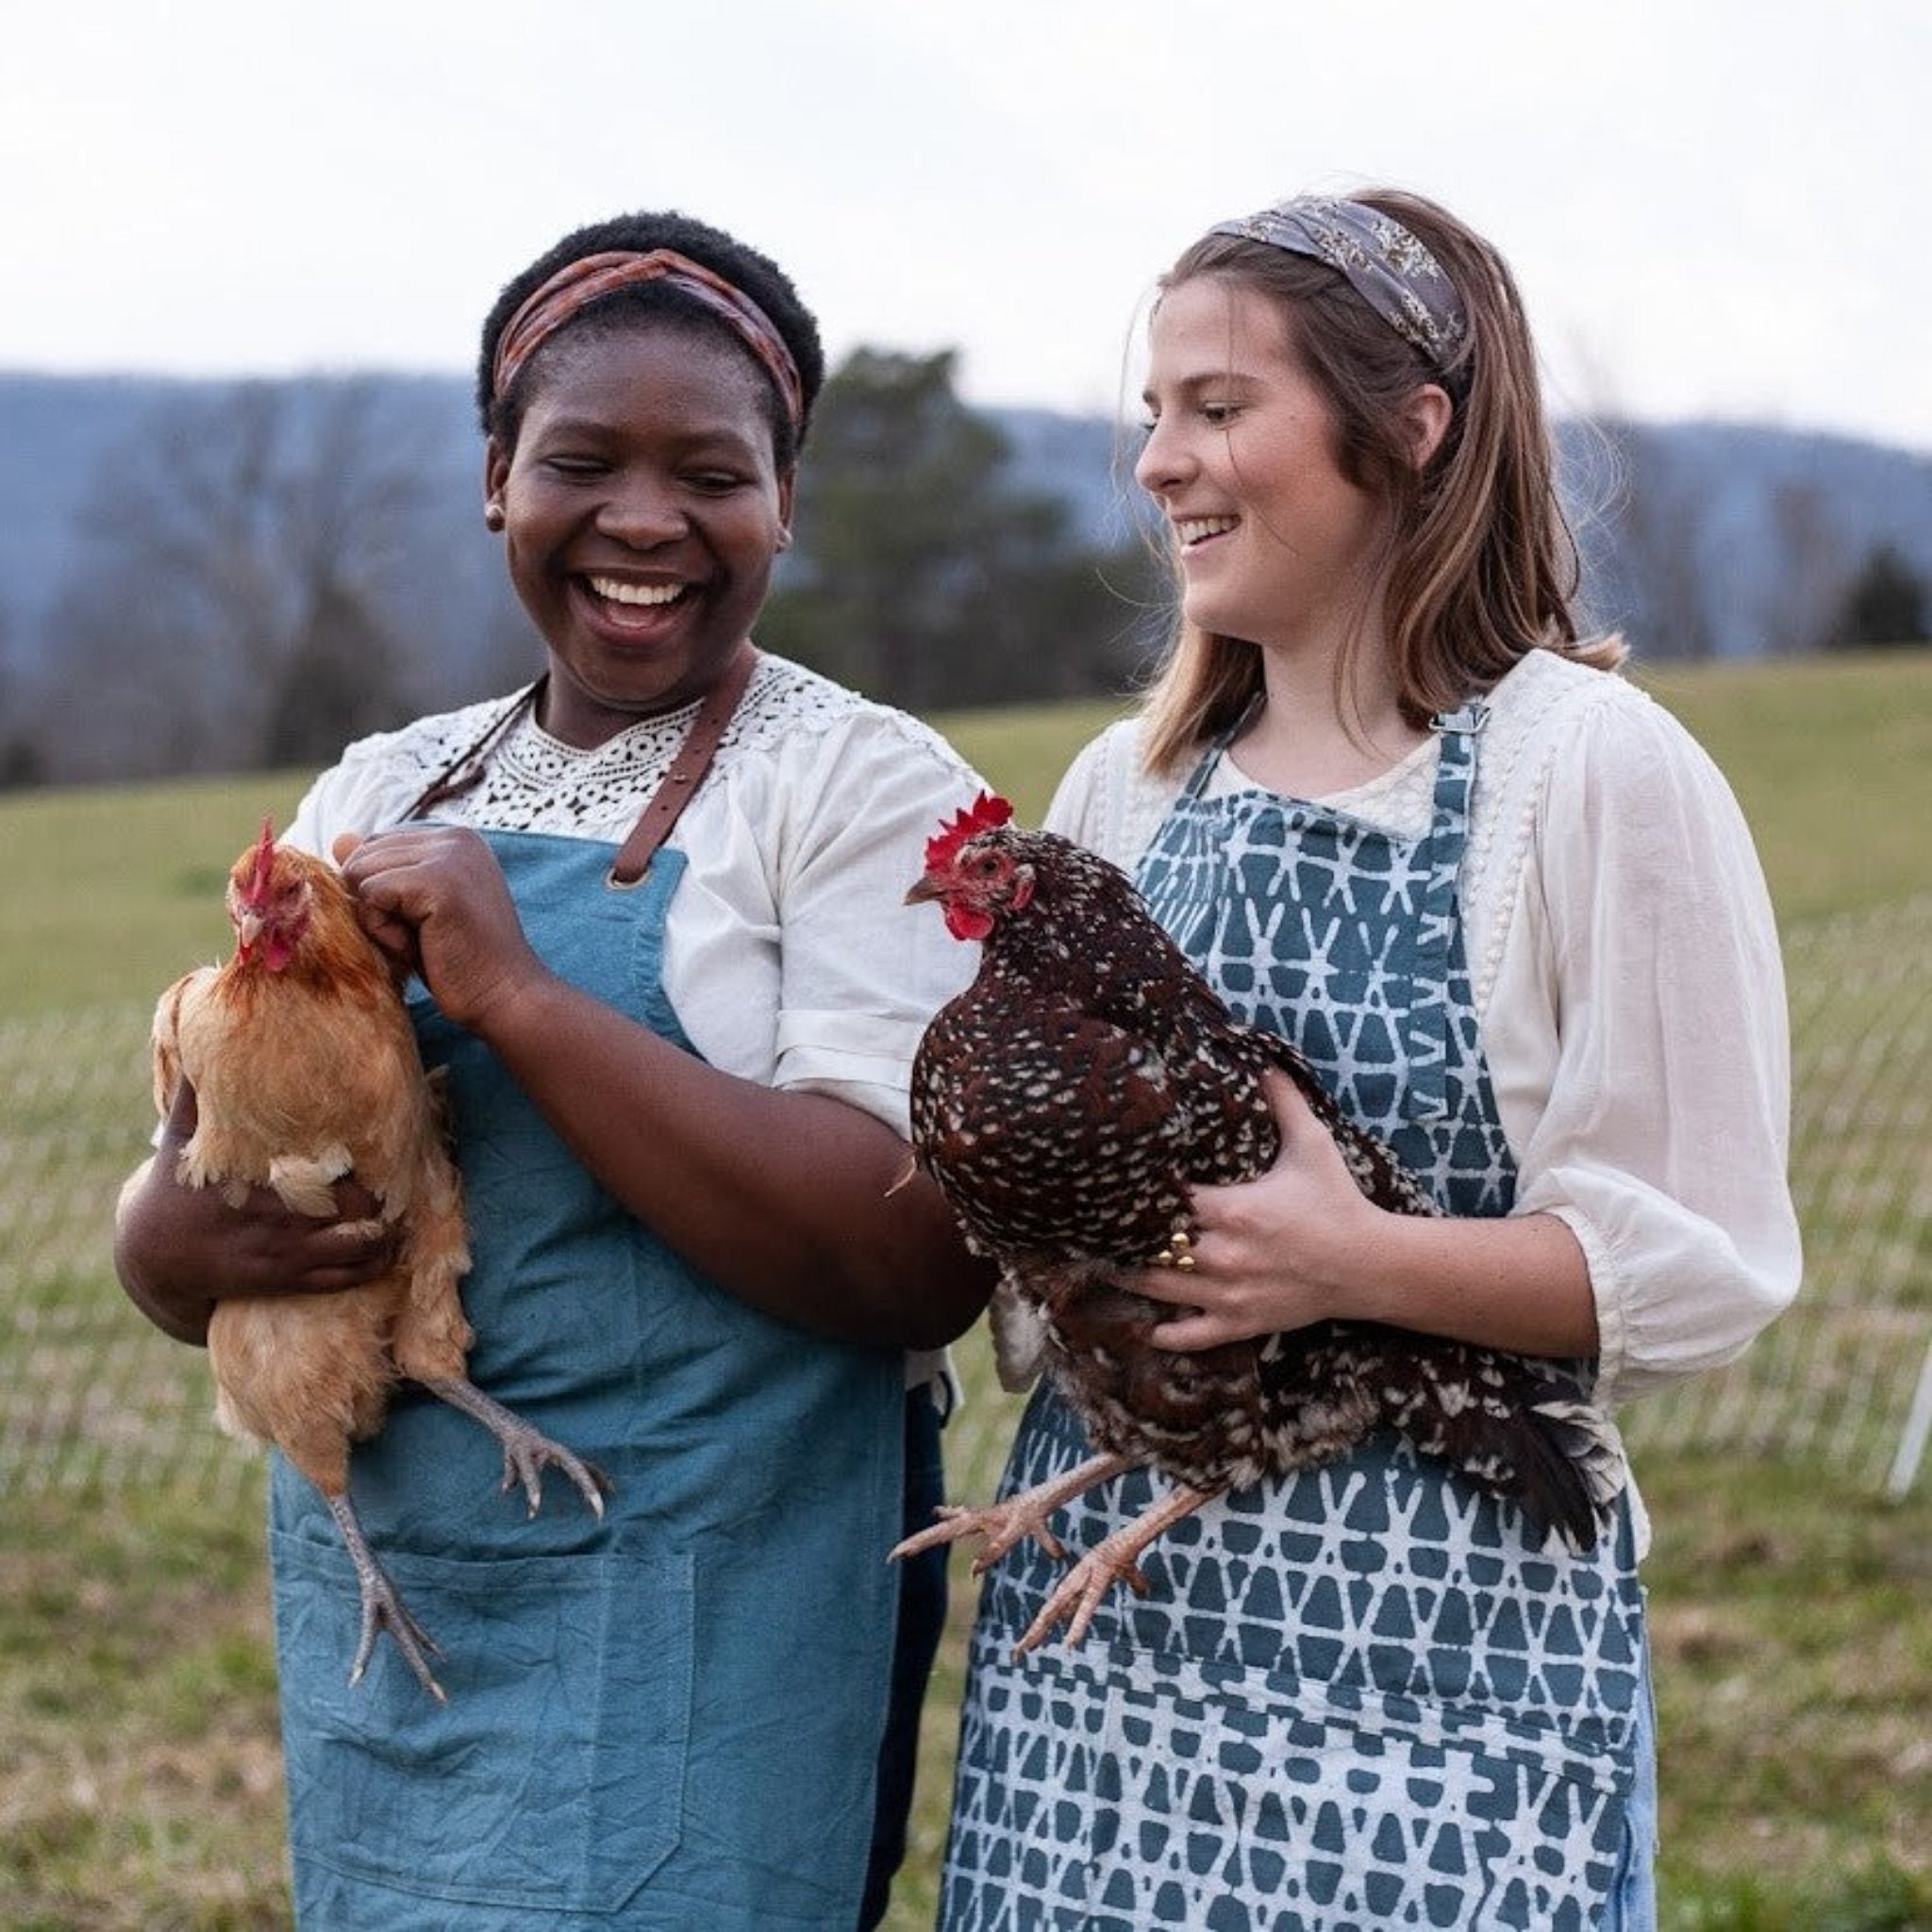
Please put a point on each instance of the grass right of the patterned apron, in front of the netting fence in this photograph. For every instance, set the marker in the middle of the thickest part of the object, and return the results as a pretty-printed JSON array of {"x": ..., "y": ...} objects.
[{"x": 1794, "y": 1666}]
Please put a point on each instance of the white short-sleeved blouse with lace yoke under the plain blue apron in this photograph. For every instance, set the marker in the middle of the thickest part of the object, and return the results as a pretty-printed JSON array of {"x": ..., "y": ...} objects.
[{"x": 791, "y": 957}]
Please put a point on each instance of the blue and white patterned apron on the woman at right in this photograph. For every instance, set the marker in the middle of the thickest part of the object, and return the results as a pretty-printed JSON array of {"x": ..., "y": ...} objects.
[{"x": 1357, "y": 1697}]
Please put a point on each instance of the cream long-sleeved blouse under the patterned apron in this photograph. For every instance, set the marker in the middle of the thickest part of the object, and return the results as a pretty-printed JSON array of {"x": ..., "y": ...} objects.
[{"x": 1630, "y": 990}]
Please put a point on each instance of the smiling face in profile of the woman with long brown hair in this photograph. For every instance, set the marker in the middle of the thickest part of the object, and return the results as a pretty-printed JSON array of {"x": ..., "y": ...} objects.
[{"x": 1278, "y": 548}]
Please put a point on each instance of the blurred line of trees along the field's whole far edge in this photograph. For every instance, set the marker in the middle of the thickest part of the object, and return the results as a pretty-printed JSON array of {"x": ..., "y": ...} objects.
[{"x": 268, "y": 571}]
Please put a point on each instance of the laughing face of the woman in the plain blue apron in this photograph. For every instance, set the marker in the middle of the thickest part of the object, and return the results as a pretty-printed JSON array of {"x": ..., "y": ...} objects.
[{"x": 642, "y": 515}]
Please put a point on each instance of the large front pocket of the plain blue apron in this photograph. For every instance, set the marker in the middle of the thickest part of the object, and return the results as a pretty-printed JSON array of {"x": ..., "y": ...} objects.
[{"x": 554, "y": 1780}]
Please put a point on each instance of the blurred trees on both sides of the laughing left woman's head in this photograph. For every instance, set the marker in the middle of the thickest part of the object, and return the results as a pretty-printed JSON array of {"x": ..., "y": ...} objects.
[{"x": 273, "y": 569}]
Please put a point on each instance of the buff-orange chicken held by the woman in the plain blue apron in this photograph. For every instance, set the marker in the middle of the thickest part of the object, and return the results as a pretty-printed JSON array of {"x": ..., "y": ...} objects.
[{"x": 304, "y": 1071}]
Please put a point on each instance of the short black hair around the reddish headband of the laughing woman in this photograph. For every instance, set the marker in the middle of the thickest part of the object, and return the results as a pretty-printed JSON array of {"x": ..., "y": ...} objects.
[{"x": 745, "y": 268}]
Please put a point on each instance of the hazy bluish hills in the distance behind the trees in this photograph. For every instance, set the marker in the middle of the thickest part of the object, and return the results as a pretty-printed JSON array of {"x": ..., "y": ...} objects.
[{"x": 1719, "y": 540}]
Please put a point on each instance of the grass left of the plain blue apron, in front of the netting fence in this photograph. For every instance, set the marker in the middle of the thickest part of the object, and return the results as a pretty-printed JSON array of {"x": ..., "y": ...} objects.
[{"x": 140, "y": 1788}]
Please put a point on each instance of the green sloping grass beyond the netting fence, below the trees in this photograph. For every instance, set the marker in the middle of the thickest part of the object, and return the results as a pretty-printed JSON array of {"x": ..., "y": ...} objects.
[{"x": 113, "y": 892}]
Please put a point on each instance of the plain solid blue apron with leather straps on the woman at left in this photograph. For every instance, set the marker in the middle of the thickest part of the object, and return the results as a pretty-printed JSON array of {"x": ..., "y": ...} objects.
[{"x": 666, "y": 1720}]
